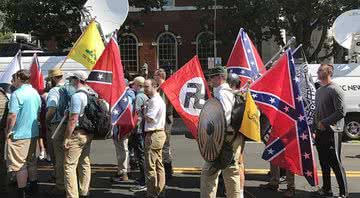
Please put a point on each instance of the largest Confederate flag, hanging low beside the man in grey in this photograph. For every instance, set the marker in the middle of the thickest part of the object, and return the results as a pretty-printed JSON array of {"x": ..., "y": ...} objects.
[{"x": 289, "y": 144}]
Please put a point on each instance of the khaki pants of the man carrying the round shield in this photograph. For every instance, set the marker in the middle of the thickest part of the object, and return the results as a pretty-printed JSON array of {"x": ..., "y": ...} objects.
[{"x": 209, "y": 183}]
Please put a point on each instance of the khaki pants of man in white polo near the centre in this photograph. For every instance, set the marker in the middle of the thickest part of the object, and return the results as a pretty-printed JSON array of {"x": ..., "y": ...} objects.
[{"x": 154, "y": 167}]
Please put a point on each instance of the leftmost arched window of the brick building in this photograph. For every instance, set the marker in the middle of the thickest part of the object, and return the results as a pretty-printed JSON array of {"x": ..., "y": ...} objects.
[{"x": 129, "y": 52}]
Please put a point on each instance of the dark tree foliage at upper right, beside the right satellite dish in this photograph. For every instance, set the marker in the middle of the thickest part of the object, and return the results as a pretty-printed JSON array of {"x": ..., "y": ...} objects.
[{"x": 265, "y": 18}]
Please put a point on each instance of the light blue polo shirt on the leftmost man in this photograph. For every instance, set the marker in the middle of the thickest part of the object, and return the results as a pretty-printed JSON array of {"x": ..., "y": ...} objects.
[{"x": 25, "y": 102}]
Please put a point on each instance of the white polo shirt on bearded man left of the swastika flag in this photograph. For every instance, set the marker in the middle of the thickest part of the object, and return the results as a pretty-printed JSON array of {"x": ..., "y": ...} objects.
[{"x": 156, "y": 110}]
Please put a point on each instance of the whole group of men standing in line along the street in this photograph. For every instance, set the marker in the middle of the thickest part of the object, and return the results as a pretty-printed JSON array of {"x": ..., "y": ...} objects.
[{"x": 69, "y": 145}]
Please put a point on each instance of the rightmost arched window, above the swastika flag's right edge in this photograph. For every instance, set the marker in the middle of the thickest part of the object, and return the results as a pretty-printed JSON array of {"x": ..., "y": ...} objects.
[{"x": 205, "y": 48}]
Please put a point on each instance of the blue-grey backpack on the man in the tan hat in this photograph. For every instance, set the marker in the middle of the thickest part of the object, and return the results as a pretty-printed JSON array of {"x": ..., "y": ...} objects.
[{"x": 65, "y": 93}]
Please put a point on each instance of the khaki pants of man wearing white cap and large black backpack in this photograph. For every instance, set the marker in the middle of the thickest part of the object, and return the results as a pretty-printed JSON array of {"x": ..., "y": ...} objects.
[{"x": 77, "y": 165}]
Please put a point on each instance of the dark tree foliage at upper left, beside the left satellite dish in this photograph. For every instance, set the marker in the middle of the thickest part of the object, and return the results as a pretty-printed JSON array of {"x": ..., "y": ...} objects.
[{"x": 53, "y": 19}]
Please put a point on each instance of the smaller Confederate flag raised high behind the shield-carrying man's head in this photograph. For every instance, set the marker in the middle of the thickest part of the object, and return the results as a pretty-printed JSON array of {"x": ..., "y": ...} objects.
[{"x": 244, "y": 59}]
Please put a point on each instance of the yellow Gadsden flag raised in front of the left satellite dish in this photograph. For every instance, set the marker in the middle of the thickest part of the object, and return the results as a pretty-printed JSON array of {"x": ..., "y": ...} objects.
[{"x": 88, "y": 48}]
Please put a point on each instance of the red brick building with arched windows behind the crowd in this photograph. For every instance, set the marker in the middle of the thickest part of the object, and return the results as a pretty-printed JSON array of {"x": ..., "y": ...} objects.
[{"x": 170, "y": 37}]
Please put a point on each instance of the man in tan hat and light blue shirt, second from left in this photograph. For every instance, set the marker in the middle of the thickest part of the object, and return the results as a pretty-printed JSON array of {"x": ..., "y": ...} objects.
[{"x": 53, "y": 117}]
